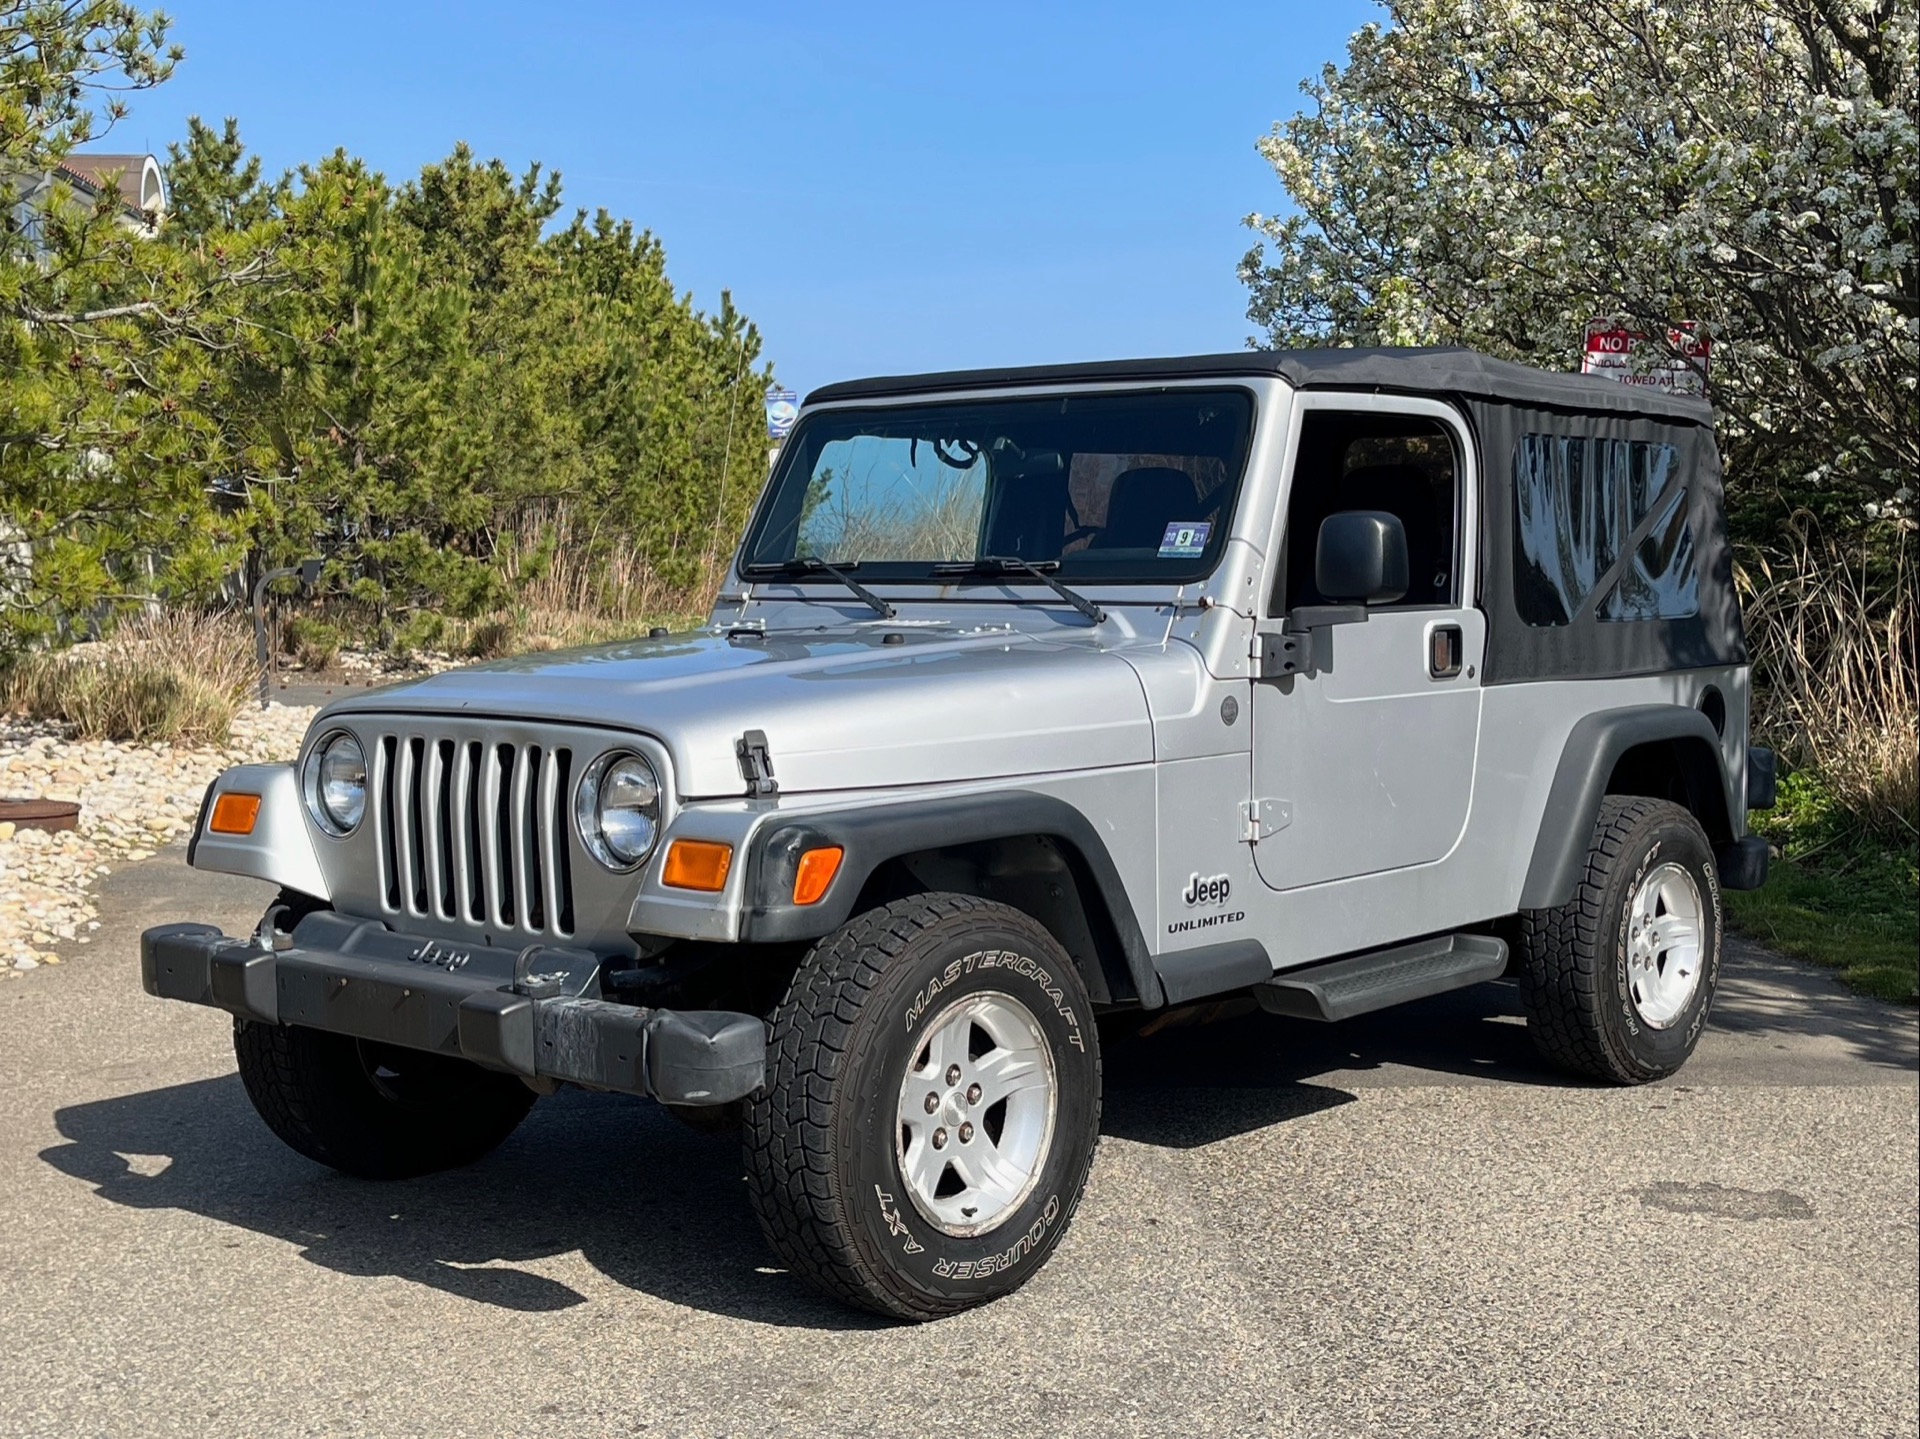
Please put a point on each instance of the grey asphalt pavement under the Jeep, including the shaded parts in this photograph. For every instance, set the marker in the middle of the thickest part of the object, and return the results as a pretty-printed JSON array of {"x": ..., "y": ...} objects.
[{"x": 1399, "y": 1227}]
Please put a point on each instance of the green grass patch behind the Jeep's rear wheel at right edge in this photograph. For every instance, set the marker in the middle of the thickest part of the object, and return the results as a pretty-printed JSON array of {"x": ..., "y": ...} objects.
[{"x": 1838, "y": 894}]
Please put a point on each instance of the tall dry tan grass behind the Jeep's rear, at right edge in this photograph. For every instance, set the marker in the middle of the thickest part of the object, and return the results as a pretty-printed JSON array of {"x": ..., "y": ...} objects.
[{"x": 1836, "y": 675}]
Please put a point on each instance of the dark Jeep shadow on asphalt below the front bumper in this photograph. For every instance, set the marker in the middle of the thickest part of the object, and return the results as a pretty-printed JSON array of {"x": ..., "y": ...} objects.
[{"x": 648, "y": 1202}]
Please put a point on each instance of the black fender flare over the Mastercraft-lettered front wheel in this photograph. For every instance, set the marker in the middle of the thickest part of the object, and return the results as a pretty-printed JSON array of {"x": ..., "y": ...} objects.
[{"x": 875, "y": 835}]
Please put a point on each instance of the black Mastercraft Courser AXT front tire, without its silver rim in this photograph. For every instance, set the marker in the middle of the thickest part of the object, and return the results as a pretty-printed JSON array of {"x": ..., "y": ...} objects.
[{"x": 821, "y": 1136}]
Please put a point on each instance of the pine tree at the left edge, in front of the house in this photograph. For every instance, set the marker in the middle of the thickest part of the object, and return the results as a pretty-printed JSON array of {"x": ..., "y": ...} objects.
[{"x": 105, "y": 341}]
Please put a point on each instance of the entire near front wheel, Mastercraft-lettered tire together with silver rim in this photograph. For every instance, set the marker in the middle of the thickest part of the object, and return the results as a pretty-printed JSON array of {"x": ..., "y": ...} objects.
[{"x": 930, "y": 1111}]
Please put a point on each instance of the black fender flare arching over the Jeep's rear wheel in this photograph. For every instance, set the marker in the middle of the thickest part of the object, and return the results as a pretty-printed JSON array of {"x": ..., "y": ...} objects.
[{"x": 1595, "y": 746}]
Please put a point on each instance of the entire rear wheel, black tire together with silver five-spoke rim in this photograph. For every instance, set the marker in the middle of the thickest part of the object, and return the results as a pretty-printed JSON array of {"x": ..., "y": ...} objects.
[{"x": 1620, "y": 981}]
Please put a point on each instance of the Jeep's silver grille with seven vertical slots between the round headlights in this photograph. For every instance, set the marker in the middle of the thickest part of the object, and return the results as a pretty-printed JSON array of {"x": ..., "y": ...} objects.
[{"x": 475, "y": 831}]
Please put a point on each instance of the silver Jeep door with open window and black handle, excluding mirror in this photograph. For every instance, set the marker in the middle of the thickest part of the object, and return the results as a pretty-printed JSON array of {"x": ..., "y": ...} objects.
[{"x": 1364, "y": 762}]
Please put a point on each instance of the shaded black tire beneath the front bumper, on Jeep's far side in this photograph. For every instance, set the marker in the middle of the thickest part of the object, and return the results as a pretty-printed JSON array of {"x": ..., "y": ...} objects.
[{"x": 375, "y": 1111}]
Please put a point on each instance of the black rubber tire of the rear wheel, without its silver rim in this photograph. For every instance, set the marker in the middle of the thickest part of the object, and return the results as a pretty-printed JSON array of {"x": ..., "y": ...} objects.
[{"x": 1573, "y": 960}]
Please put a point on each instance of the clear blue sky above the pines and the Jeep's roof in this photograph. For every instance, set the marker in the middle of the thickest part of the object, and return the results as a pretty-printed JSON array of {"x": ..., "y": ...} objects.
[{"x": 882, "y": 187}]
